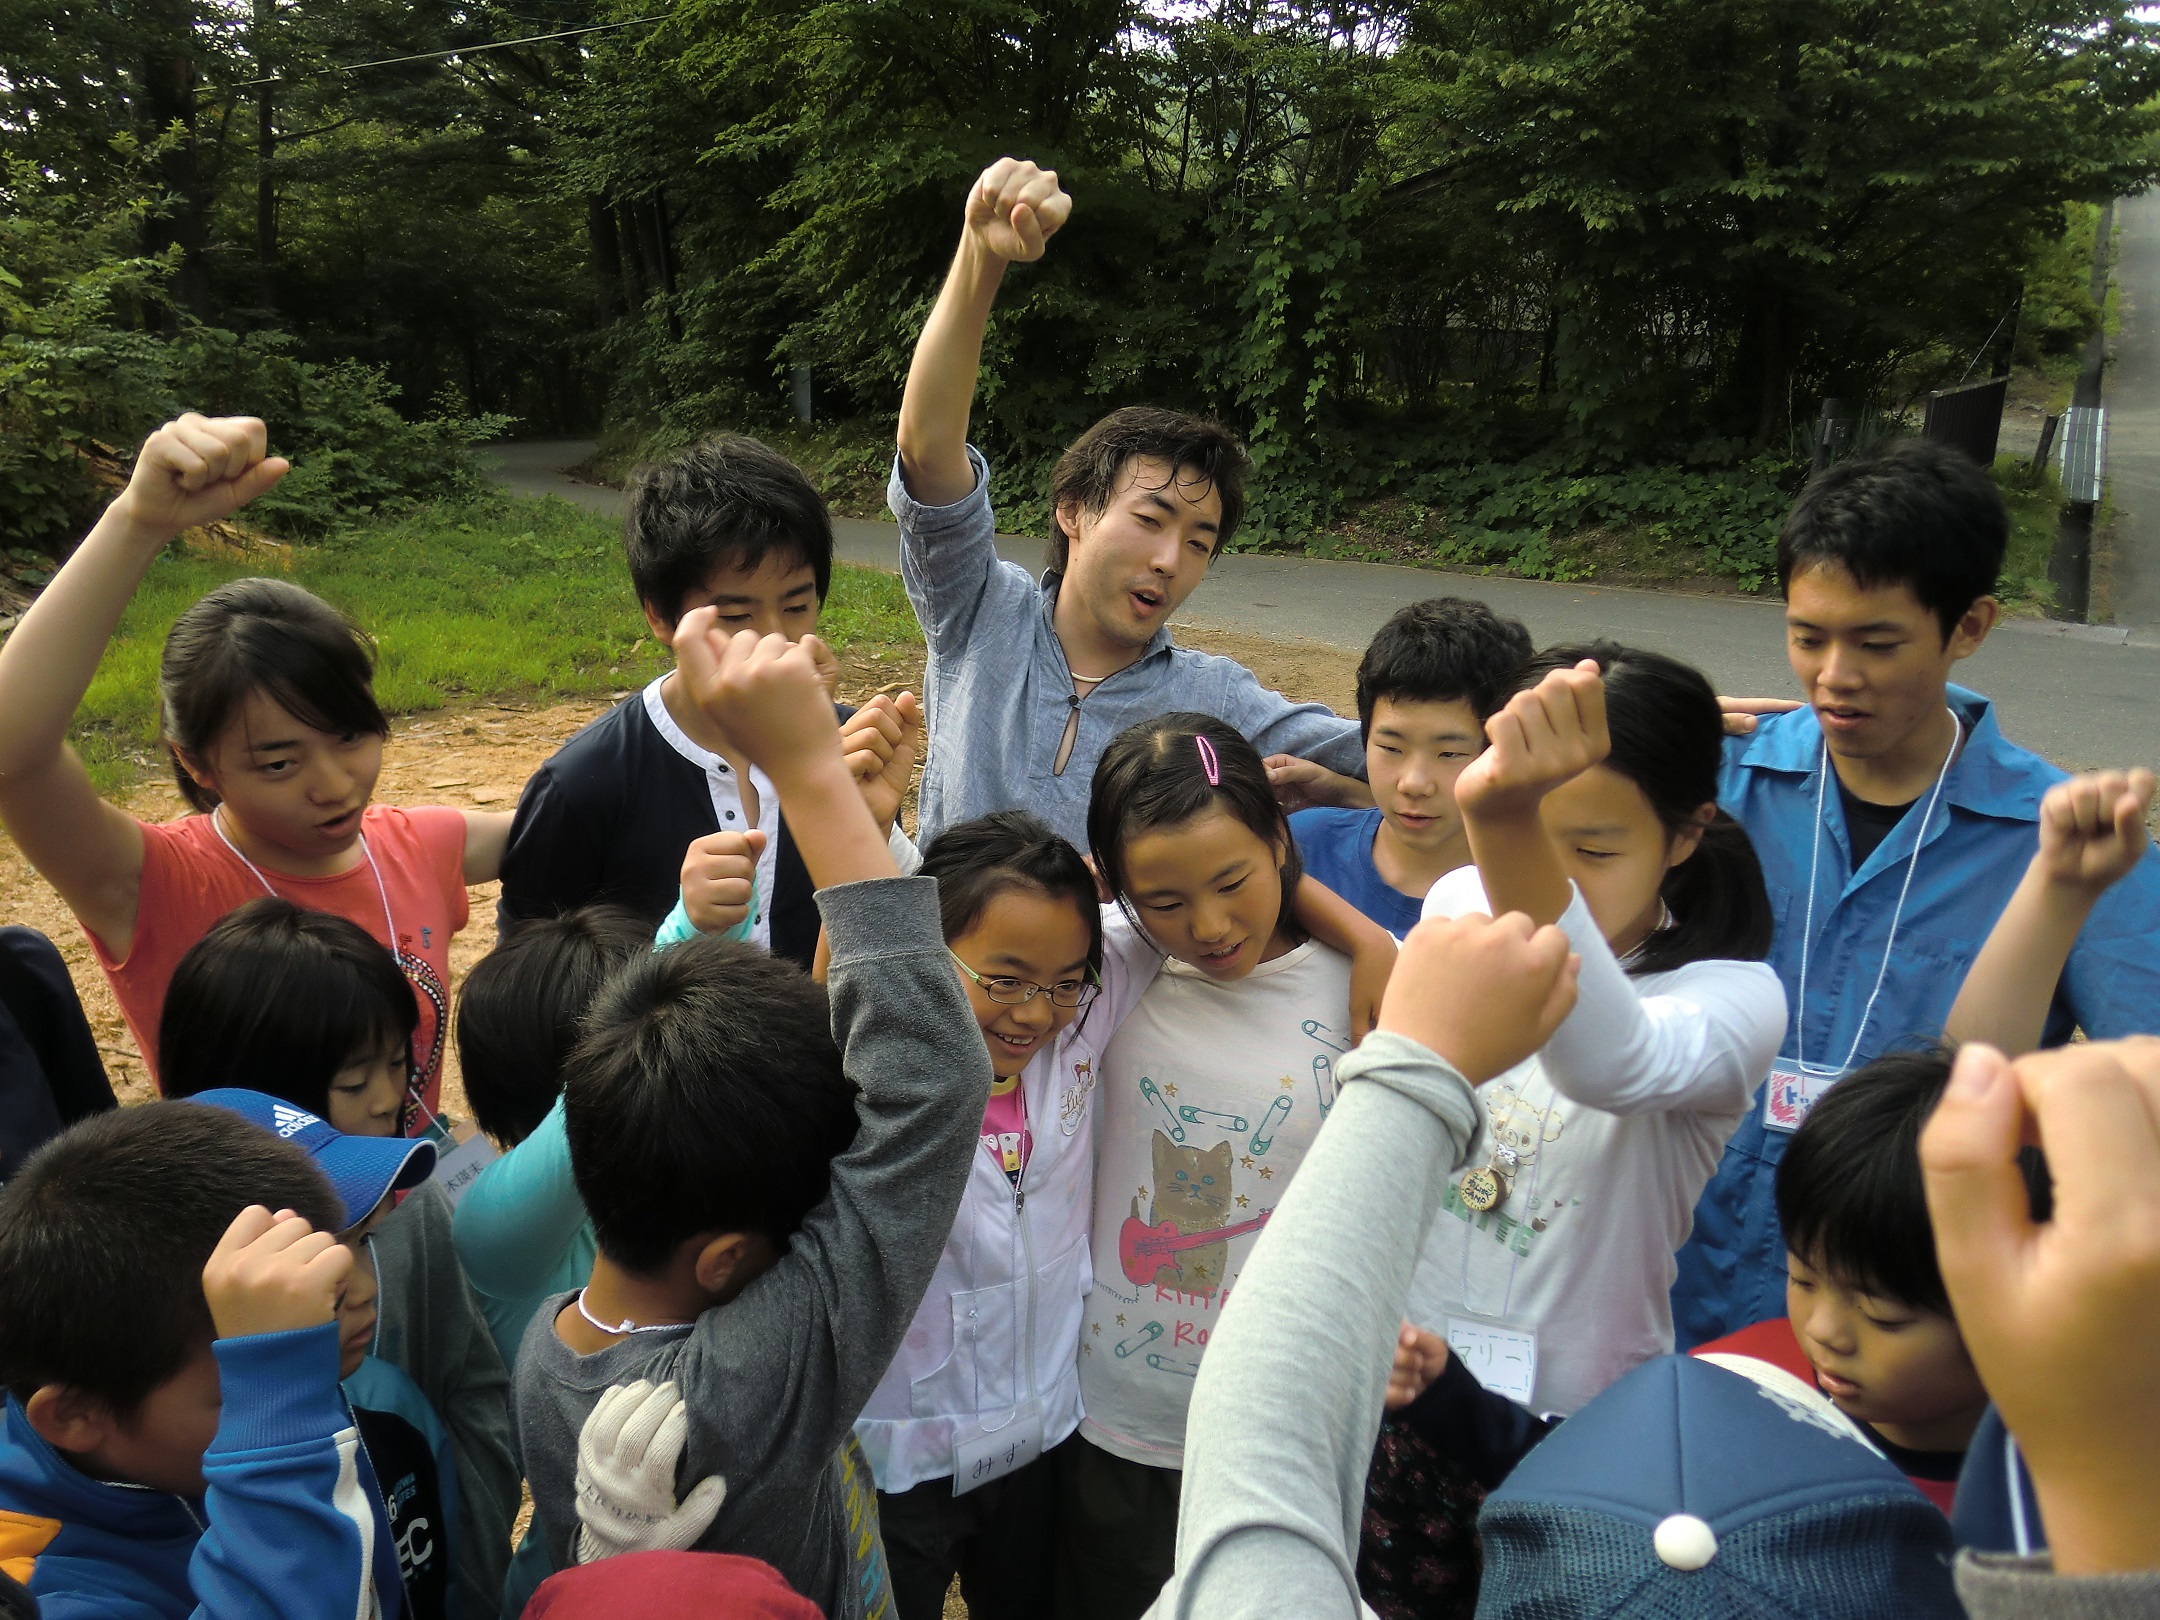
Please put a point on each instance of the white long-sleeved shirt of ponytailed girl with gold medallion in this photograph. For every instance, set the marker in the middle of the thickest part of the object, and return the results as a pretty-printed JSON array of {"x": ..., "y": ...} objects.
[{"x": 1619, "y": 1124}]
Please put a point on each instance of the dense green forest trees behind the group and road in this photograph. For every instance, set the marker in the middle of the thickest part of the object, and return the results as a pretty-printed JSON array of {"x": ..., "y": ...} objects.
[{"x": 1472, "y": 275}]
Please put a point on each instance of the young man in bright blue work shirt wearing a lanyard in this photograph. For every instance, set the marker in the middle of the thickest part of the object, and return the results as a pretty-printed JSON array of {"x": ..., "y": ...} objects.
[{"x": 1893, "y": 820}]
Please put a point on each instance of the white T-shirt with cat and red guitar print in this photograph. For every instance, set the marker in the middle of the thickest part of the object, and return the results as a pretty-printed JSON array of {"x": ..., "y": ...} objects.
[{"x": 1211, "y": 1098}]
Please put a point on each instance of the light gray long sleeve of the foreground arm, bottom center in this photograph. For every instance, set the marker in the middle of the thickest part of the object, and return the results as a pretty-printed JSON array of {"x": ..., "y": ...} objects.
[{"x": 1291, "y": 1390}]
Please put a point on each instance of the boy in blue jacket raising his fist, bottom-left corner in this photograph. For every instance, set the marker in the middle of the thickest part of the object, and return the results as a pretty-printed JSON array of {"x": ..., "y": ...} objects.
[{"x": 176, "y": 1442}]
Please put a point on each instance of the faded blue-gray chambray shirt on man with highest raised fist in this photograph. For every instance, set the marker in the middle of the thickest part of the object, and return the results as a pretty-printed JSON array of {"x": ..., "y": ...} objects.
[{"x": 999, "y": 688}]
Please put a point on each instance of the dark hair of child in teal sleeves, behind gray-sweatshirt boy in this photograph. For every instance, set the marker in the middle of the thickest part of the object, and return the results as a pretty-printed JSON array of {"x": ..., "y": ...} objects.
[{"x": 522, "y": 1010}]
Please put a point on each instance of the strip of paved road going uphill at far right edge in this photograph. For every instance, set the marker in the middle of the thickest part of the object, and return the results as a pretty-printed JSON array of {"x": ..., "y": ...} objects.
[{"x": 2133, "y": 399}]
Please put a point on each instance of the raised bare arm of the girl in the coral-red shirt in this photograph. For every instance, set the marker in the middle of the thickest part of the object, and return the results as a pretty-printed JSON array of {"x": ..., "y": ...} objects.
[{"x": 193, "y": 470}]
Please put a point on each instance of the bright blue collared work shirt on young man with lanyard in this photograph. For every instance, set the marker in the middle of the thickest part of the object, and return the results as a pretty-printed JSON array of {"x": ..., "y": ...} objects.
[{"x": 1975, "y": 850}]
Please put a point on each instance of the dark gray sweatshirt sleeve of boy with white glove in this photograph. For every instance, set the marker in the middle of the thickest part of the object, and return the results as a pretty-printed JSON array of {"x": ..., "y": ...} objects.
[{"x": 785, "y": 1368}]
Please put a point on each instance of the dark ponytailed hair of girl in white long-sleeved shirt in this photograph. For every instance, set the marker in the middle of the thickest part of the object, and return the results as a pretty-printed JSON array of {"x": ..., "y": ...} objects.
[{"x": 1669, "y": 740}]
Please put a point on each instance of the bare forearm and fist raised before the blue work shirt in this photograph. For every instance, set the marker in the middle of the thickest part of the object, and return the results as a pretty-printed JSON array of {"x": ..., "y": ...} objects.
[{"x": 2092, "y": 833}]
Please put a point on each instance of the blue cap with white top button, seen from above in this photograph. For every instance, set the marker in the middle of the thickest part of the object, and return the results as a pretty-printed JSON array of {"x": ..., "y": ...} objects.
[{"x": 1695, "y": 1489}]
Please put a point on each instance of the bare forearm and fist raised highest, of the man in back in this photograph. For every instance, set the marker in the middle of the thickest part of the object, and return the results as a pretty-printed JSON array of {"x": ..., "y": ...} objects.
[{"x": 1012, "y": 213}]
